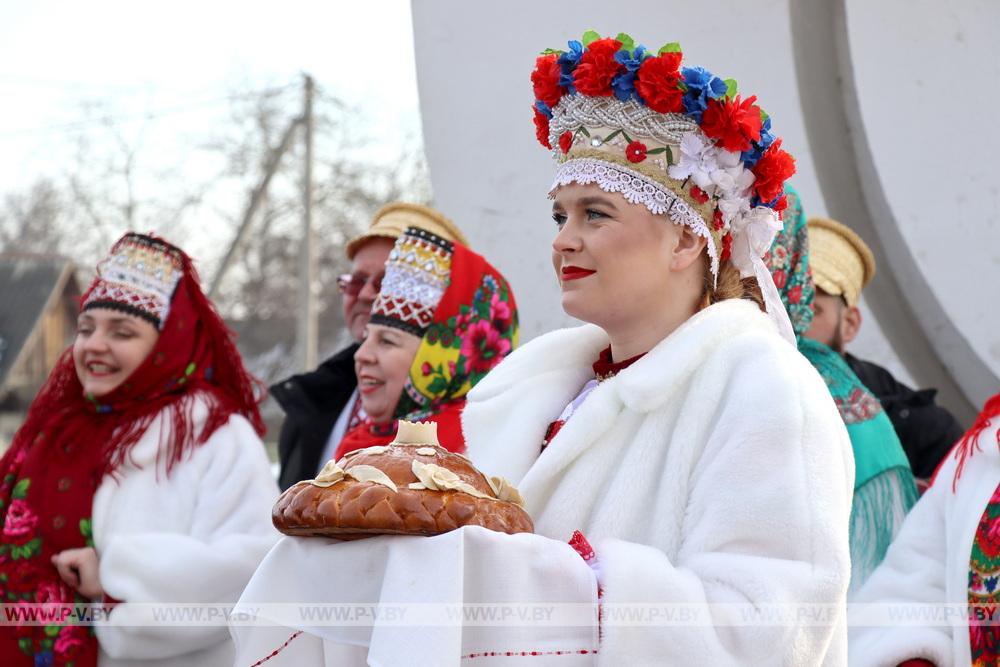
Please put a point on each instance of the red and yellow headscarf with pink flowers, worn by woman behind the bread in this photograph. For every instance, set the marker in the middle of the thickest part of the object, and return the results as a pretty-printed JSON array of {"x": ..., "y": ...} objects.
[{"x": 474, "y": 326}]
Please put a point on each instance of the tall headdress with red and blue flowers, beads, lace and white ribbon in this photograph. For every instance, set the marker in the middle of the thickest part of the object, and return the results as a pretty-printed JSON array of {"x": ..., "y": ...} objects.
[{"x": 678, "y": 140}]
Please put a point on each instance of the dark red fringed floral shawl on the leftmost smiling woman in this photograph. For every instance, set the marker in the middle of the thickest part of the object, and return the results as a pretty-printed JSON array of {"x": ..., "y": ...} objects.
[{"x": 70, "y": 442}]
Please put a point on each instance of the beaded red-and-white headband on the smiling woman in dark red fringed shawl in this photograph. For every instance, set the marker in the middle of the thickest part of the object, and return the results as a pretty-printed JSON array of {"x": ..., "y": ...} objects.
[{"x": 138, "y": 277}]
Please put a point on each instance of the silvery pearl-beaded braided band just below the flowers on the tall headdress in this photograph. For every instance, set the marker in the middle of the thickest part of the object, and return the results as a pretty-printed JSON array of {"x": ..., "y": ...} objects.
[{"x": 574, "y": 111}]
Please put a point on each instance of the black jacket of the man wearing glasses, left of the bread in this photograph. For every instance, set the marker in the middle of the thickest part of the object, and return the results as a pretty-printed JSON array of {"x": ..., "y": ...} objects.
[{"x": 312, "y": 402}]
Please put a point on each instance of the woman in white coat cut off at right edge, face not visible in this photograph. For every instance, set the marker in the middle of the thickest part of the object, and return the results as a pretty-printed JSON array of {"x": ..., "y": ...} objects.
[{"x": 944, "y": 565}]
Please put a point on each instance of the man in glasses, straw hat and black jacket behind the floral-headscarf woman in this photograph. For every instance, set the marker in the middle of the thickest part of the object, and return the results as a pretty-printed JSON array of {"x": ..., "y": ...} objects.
[{"x": 322, "y": 405}]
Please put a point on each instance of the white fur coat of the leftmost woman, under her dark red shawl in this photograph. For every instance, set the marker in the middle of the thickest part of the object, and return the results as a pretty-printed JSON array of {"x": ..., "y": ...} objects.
[{"x": 196, "y": 536}]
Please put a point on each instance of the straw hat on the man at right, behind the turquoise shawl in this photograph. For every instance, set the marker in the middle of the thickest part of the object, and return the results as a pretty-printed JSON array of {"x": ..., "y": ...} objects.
[{"x": 842, "y": 264}]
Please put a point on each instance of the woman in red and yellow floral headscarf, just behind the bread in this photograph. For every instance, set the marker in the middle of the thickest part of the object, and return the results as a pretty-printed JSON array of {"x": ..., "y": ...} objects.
[{"x": 443, "y": 318}]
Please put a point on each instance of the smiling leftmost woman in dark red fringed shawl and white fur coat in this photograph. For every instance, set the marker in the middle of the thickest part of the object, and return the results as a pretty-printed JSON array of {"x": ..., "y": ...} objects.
[{"x": 138, "y": 475}]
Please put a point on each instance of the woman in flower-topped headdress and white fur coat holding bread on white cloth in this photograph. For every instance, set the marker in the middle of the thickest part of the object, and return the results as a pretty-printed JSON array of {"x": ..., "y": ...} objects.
[{"x": 679, "y": 432}]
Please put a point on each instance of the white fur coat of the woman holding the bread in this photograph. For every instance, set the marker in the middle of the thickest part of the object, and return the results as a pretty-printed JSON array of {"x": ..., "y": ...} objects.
[{"x": 715, "y": 470}]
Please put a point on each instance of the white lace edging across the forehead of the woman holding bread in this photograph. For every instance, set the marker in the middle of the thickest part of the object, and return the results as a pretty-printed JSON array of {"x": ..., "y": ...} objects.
[{"x": 637, "y": 189}]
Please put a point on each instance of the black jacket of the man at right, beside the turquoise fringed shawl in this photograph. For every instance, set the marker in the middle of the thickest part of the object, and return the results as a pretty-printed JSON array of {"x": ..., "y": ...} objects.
[{"x": 926, "y": 430}]
